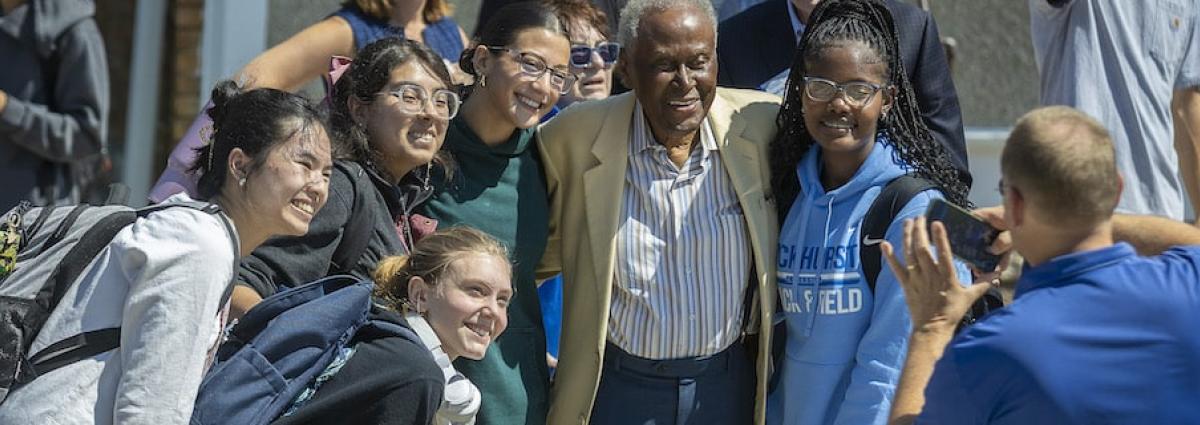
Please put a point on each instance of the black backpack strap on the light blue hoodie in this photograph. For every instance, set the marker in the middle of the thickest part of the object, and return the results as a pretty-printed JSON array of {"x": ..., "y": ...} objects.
[{"x": 880, "y": 217}]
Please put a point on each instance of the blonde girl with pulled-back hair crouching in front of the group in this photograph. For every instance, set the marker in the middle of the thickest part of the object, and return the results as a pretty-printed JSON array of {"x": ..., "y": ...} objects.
[{"x": 453, "y": 290}]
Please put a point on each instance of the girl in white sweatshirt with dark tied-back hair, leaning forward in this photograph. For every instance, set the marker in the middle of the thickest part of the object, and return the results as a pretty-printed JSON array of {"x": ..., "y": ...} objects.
[{"x": 164, "y": 282}]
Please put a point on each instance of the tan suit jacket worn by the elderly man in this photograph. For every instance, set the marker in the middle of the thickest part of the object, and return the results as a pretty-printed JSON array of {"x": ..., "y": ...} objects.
[{"x": 585, "y": 152}]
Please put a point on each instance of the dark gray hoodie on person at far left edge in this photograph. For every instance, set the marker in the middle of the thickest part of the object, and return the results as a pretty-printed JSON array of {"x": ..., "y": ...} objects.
[{"x": 56, "y": 75}]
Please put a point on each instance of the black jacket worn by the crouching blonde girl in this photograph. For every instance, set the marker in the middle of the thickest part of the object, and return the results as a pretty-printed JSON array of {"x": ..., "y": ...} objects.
[{"x": 387, "y": 381}]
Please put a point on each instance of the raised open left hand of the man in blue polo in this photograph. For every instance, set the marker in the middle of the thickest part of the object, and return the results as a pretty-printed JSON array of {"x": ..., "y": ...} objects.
[{"x": 937, "y": 301}]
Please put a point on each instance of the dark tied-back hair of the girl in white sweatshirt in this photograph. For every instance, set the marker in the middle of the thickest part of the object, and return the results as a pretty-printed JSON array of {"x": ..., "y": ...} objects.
[{"x": 255, "y": 122}]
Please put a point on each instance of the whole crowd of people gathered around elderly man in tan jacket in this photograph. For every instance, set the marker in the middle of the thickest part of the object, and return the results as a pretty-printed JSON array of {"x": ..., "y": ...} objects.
[{"x": 628, "y": 213}]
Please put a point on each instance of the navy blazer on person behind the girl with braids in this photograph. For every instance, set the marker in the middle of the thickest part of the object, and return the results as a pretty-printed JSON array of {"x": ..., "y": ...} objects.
[{"x": 758, "y": 45}]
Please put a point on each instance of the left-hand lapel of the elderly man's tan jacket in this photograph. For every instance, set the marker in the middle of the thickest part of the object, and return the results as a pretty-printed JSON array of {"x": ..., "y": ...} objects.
[{"x": 604, "y": 185}]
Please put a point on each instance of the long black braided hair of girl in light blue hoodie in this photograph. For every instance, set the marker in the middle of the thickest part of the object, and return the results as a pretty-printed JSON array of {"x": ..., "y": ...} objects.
[{"x": 833, "y": 25}]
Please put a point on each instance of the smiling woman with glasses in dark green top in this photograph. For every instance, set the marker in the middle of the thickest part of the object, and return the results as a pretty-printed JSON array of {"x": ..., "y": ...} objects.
[{"x": 521, "y": 68}]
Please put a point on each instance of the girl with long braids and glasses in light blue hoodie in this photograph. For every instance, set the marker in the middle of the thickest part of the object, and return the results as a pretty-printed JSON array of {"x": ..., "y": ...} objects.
[{"x": 849, "y": 127}]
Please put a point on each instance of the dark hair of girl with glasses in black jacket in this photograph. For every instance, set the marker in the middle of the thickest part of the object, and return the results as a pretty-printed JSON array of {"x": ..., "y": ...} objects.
[{"x": 368, "y": 75}]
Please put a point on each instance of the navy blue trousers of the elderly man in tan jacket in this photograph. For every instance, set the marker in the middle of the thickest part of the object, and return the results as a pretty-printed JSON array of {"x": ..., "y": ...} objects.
[{"x": 716, "y": 390}]
